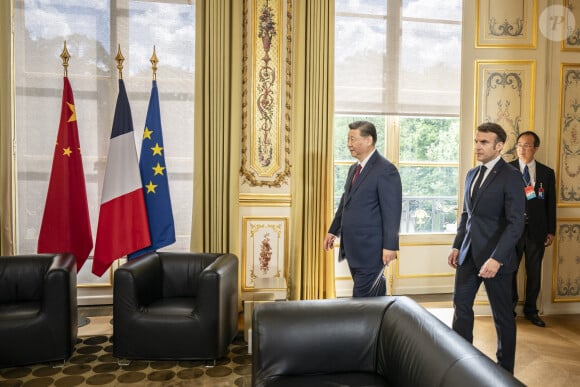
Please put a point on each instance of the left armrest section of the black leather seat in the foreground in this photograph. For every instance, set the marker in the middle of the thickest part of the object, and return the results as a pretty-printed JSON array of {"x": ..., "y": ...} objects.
[{"x": 316, "y": 337}]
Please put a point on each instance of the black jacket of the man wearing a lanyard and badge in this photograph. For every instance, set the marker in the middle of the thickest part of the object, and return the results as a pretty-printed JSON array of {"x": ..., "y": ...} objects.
[{"x": 541, "y": 213}]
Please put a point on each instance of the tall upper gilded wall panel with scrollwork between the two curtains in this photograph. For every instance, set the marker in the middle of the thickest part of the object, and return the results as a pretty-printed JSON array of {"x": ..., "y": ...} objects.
[{"x": 267, "y": 74}]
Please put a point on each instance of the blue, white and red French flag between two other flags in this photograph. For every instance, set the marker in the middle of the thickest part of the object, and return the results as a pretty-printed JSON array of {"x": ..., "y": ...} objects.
[{"x": 123, "y": 227}]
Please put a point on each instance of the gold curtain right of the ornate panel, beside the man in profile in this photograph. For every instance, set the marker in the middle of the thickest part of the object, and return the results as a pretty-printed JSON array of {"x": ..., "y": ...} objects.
[{"x": 311, "y": 268}]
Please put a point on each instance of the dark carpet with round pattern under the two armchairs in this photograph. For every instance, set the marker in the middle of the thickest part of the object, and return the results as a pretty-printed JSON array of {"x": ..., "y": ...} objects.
[{"x": 92, "y": 364}]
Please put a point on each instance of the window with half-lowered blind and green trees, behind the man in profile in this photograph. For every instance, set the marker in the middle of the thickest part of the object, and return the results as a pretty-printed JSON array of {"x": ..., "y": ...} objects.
[{"x": 397, "y": 64}]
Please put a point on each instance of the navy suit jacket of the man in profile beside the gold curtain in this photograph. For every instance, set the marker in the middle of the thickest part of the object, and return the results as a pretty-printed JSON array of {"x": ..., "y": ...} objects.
[{"x": 368, "y": 217}]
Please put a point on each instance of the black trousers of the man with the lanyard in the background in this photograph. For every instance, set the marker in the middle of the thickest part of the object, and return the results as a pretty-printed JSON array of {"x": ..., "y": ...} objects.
[{"x": 533, "y": 249}]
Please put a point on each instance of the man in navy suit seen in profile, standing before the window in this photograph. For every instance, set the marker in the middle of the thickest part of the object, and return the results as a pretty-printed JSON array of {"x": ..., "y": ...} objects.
[{"x": 369, "y": 215}]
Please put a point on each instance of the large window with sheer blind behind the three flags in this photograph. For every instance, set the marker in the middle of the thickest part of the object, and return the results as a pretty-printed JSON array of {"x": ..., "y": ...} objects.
[{"x": 93, "y": 31}]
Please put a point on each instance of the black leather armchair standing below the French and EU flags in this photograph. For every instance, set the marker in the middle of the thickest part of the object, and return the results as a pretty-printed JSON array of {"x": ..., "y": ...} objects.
[{"x": 175, "y": 306}]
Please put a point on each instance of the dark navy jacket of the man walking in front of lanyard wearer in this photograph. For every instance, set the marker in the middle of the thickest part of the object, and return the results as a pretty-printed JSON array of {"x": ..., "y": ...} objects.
[{"x": 492, "y": 225}]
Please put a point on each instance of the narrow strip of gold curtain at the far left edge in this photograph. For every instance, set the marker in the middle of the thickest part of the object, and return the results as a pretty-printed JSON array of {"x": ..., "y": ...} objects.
[{"x": 6, "y": 209}]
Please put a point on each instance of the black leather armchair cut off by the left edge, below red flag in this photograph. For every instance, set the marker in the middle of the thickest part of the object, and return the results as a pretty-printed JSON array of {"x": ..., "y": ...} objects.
[{"x": 38, "y": 309}]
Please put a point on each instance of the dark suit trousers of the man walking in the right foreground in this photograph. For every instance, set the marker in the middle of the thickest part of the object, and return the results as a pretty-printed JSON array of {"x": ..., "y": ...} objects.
[{"x": 499, "y": 293}]
